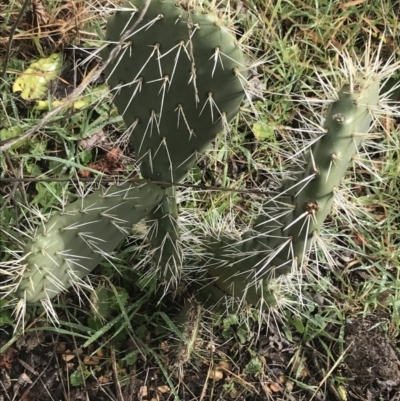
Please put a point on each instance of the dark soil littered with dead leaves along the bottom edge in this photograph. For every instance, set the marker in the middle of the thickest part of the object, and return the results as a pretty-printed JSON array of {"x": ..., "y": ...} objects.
[{"x": 39, "y": 366}]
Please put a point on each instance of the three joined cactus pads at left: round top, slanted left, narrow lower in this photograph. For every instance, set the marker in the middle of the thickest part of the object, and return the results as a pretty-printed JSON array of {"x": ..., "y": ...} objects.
[{"x": 177, "y": 76}]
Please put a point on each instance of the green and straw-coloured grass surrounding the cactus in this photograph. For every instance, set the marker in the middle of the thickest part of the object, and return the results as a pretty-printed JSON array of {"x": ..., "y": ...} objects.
[{"x": 141, "y": 345}]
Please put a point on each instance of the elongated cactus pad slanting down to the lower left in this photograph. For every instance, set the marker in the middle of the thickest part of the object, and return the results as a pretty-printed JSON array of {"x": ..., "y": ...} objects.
[{"x": 73, "y": 242}]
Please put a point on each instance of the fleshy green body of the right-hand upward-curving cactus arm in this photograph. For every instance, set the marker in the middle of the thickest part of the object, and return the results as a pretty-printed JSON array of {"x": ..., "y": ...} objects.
[{"x": 292, "y": 220}]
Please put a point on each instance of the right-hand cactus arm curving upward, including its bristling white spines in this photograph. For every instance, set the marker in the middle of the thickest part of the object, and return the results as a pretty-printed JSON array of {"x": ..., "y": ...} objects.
[{"x": 290, "y": 223}]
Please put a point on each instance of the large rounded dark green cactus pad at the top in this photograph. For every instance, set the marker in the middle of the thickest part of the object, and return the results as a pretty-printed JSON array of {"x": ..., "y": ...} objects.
[{"x": 177, "y": 80}]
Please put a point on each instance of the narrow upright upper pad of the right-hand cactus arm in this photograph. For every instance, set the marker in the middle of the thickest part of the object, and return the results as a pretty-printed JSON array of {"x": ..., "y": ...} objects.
[{"x": 347, "y": 122}]
